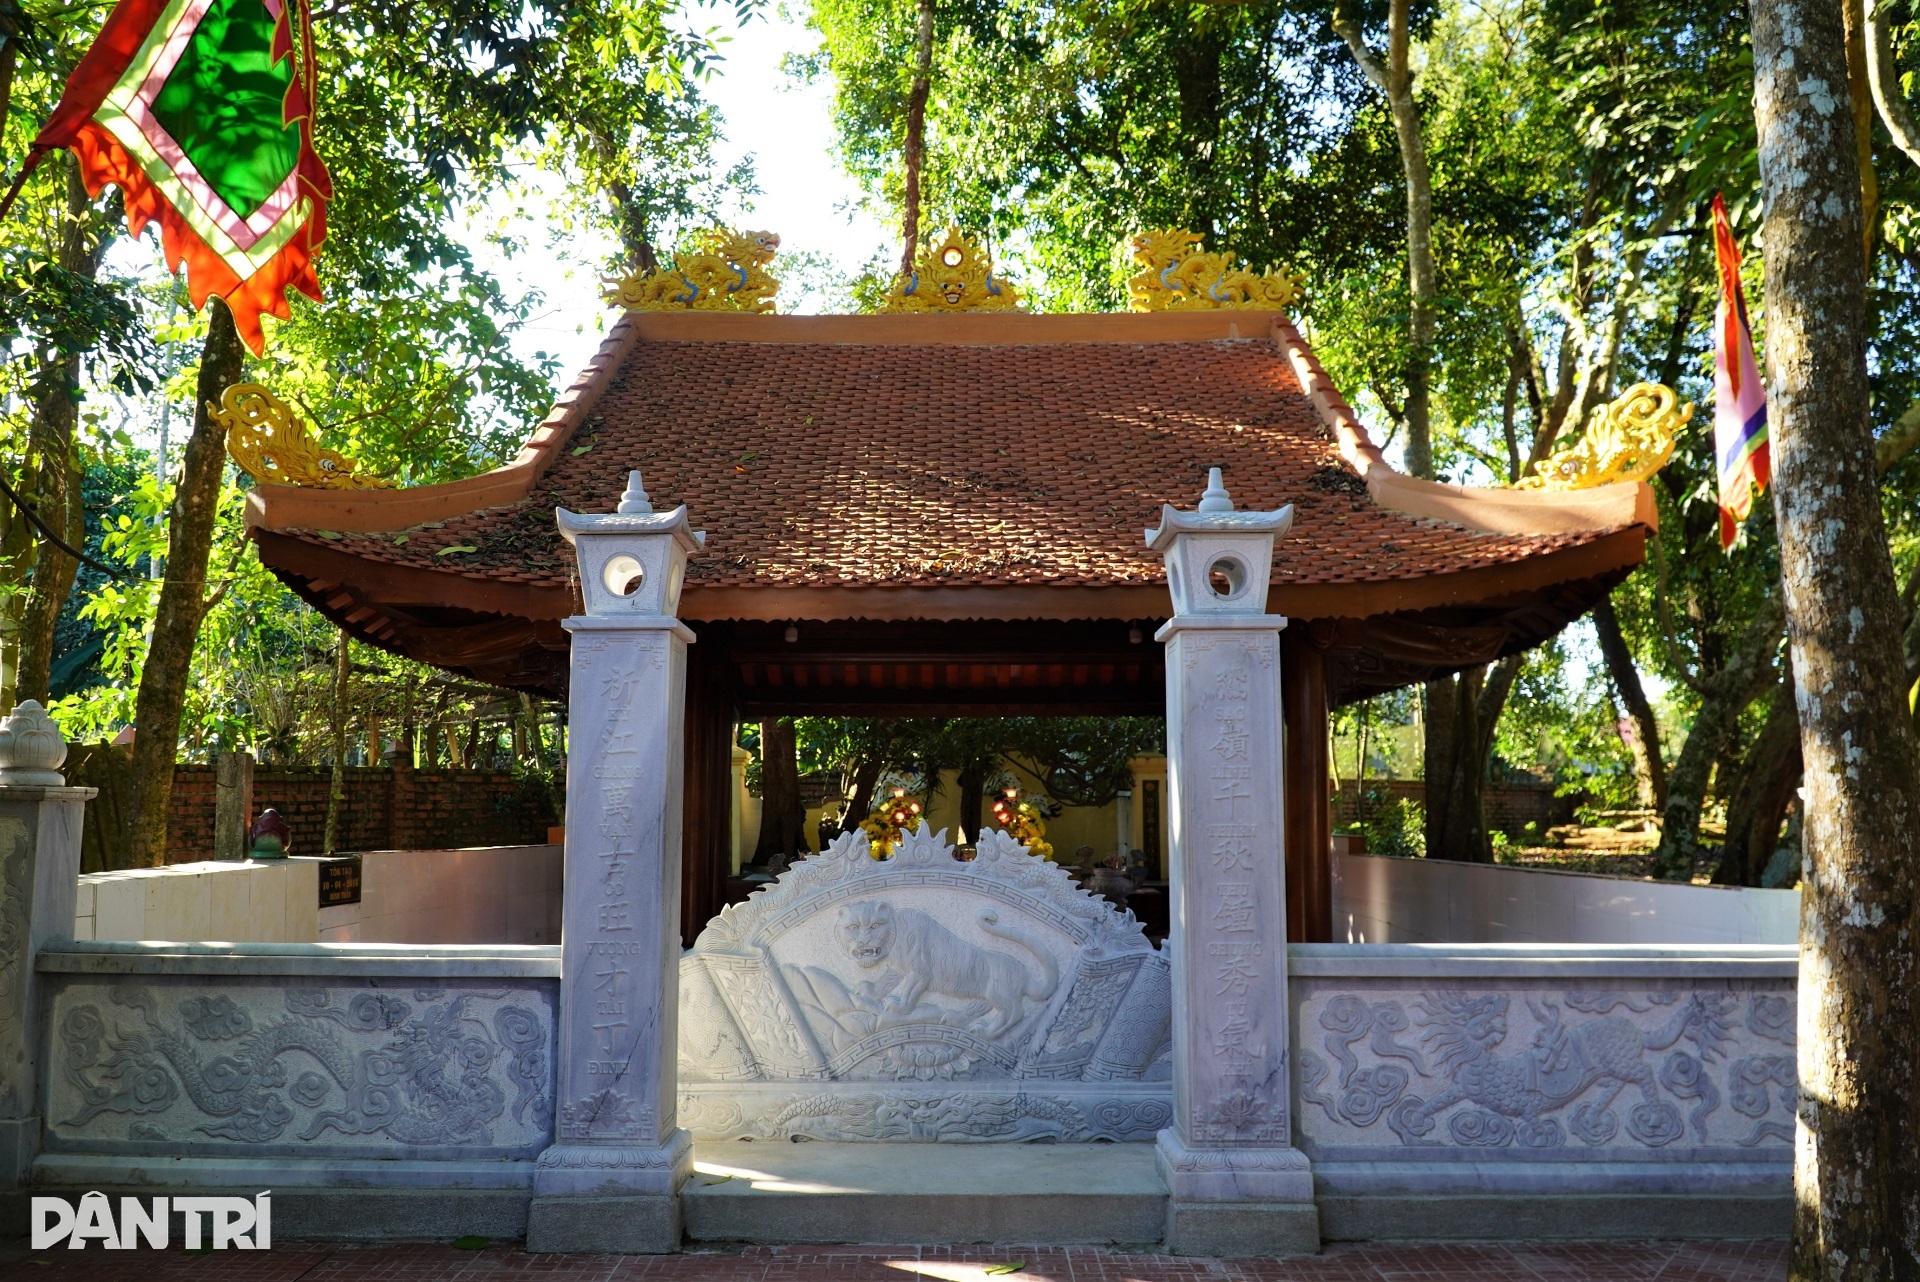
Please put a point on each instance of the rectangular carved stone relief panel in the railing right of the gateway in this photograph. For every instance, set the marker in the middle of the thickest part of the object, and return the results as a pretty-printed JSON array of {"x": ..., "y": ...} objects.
[{"x": 1579, "y": 1074}]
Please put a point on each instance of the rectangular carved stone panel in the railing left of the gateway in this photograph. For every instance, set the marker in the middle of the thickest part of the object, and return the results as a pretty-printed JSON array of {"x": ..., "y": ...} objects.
[{"x": 300, "y": 1068}]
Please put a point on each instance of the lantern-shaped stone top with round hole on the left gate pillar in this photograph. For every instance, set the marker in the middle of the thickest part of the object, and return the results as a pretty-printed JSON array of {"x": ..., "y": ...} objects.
[{"x": 636, "y": 559}]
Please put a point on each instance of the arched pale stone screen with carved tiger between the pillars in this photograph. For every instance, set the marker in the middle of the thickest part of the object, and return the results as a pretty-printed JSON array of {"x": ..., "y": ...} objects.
[{"x": 924, "y": 999}]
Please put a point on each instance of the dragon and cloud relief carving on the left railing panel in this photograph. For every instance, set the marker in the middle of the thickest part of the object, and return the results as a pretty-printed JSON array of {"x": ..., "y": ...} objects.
[{"x": 433, "y": 1072}]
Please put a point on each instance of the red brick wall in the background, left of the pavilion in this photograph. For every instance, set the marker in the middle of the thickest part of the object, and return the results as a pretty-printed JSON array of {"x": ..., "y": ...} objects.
[{"x": 385, "y": 809}]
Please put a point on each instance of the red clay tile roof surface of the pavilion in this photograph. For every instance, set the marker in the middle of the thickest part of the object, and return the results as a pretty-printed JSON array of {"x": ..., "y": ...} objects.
[{"x": 949, "y": 465}]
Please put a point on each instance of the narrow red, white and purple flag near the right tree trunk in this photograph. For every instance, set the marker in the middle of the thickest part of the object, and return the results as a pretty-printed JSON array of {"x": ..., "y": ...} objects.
[{"x": 1739, "y": 396}]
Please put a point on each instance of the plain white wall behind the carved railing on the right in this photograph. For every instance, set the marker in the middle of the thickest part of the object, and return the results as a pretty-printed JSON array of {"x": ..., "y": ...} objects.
[{"x": 1395, "y": 901}]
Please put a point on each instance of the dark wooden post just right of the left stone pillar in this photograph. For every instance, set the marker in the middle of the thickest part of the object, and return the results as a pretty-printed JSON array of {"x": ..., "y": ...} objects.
[{"x": 708, "y": 815}]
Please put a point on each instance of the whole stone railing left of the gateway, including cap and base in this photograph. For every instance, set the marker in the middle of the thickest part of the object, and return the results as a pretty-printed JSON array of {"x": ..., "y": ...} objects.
[{"x": 302, "y": 1066}]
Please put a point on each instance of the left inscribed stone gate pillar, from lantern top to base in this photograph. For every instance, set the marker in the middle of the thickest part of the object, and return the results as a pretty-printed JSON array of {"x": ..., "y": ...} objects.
[{"x": 612, "y": 1179}]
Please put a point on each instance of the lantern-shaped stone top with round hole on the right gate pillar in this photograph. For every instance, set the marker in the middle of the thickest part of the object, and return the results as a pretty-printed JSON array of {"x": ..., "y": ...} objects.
[{"x": 1220, "y": 561}]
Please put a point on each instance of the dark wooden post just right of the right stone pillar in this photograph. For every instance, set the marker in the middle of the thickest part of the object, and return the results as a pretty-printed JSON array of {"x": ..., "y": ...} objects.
[{"x": 1308, "y": 803}]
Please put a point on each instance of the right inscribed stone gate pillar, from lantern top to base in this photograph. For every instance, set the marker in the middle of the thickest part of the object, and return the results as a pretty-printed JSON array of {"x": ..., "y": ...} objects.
[{"x": 1236, "y": 1183}]
